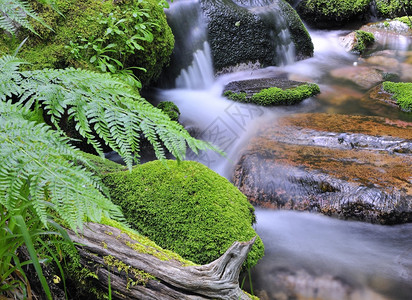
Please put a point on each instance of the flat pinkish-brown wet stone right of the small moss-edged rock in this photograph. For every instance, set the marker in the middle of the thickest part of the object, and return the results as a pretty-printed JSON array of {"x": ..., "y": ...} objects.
[{"x": 363, "y": 76}]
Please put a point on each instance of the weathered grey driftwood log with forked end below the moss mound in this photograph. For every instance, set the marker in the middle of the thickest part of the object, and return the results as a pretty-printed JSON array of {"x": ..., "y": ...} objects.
[{"x": 217, "y": 280}]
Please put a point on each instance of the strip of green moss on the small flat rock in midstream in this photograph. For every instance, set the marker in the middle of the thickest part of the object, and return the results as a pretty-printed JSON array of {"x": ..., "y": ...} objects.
[{"x": 277, "y": 96}]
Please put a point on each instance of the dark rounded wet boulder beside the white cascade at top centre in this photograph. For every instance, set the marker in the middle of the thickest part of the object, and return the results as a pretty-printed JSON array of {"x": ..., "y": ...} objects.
[{"x": 258, "y": 32}]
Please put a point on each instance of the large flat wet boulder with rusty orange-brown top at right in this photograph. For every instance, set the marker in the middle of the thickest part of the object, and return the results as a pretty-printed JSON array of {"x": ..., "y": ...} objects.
[{"x": 351, "y": 167}]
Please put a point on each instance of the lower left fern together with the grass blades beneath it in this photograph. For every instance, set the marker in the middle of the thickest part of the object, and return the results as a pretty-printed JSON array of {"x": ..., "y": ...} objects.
[{"x": 39, "y": 185}]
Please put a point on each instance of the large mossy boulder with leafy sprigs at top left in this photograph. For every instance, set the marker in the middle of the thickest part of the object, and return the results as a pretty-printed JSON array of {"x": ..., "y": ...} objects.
[{"x": 83, "y": 25}]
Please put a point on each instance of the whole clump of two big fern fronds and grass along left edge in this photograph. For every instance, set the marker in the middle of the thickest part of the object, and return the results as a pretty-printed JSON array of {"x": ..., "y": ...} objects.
[{"x": 40, "y": 185}]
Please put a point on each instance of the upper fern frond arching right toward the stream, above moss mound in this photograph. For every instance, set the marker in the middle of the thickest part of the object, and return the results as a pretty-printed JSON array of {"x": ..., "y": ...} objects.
[{"x": 101, "y": 105}]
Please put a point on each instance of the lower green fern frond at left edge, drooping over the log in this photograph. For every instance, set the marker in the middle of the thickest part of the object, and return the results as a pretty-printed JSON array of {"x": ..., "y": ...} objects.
[{"x": 37, "y": 168}]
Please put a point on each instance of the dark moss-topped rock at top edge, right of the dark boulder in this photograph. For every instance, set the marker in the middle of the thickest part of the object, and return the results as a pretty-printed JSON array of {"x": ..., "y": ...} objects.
[{"x": 331, "y": 13}]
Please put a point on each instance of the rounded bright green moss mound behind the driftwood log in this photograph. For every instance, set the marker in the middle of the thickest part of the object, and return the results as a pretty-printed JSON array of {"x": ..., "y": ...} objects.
[{"x": 186, "y": 208}]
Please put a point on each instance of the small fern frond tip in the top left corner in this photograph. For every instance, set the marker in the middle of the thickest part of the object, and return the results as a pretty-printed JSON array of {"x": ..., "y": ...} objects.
[{"x": 15, "y": 13}]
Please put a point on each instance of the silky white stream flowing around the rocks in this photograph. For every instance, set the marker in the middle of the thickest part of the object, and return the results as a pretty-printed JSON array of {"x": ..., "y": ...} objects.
[{"x": 307, "y": 255}]
